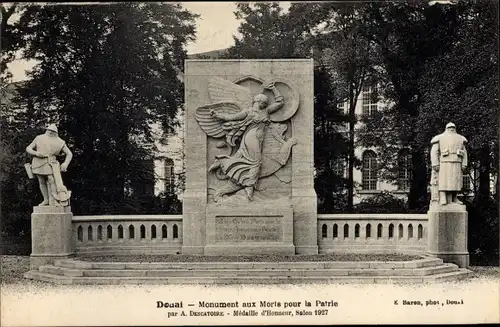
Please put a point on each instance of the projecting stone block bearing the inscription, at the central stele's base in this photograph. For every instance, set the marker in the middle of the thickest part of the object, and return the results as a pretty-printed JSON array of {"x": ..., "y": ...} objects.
[{"x": 249, "y": 229}]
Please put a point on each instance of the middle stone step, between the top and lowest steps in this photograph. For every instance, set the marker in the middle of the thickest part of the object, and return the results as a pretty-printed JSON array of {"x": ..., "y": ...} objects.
[{"x": 244, "y": 273}]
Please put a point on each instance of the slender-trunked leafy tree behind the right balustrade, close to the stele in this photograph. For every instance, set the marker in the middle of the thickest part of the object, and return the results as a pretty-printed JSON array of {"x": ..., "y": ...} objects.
[{"x": 334, "y": 32}]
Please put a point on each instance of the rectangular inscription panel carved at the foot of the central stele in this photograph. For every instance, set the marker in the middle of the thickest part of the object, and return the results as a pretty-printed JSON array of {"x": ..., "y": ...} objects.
[{"x": 249, "y": 229}]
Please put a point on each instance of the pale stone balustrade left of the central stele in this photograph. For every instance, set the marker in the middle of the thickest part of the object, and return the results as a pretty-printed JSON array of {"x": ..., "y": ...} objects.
[{"x": 127, "y": 234}]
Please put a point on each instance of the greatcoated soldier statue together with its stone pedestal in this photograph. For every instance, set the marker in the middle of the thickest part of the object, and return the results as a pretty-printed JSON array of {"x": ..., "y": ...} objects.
[{"x": 447, "y": 215}]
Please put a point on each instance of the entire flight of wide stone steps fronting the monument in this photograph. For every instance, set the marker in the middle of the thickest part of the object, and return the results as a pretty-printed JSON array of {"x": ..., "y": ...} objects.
[{"x": 74, "y": 271}]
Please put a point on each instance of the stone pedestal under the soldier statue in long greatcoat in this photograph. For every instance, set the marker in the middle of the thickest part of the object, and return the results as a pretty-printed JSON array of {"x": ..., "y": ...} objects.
[{"x": 447, "y": 231}]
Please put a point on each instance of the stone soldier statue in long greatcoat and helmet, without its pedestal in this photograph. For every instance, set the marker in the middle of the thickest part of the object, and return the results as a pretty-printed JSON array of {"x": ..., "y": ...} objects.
[{"x": 448, "y": 160}]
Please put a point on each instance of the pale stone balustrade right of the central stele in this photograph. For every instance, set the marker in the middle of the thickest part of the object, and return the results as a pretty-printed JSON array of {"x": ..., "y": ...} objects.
[{"x": 372, "y": 233}]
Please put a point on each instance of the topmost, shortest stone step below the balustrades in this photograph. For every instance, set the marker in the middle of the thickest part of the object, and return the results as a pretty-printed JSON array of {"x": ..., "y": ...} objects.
[{"x": 76, "y": 264}]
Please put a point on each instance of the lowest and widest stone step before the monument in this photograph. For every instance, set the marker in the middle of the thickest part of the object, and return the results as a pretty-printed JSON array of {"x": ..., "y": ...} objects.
[{"x": 38, "y": 275}]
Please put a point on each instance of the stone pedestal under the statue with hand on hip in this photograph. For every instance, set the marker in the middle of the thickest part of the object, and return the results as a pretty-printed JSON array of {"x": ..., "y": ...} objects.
[{"x": 51, "y": 235}]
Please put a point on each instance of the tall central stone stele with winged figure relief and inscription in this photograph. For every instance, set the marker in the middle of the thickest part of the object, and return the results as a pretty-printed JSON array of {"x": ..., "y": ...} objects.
[{"x": 249, "y": 158}]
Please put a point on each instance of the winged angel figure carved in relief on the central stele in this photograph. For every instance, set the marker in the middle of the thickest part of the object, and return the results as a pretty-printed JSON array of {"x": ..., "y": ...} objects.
[{"x": 258, "y": 147}]
